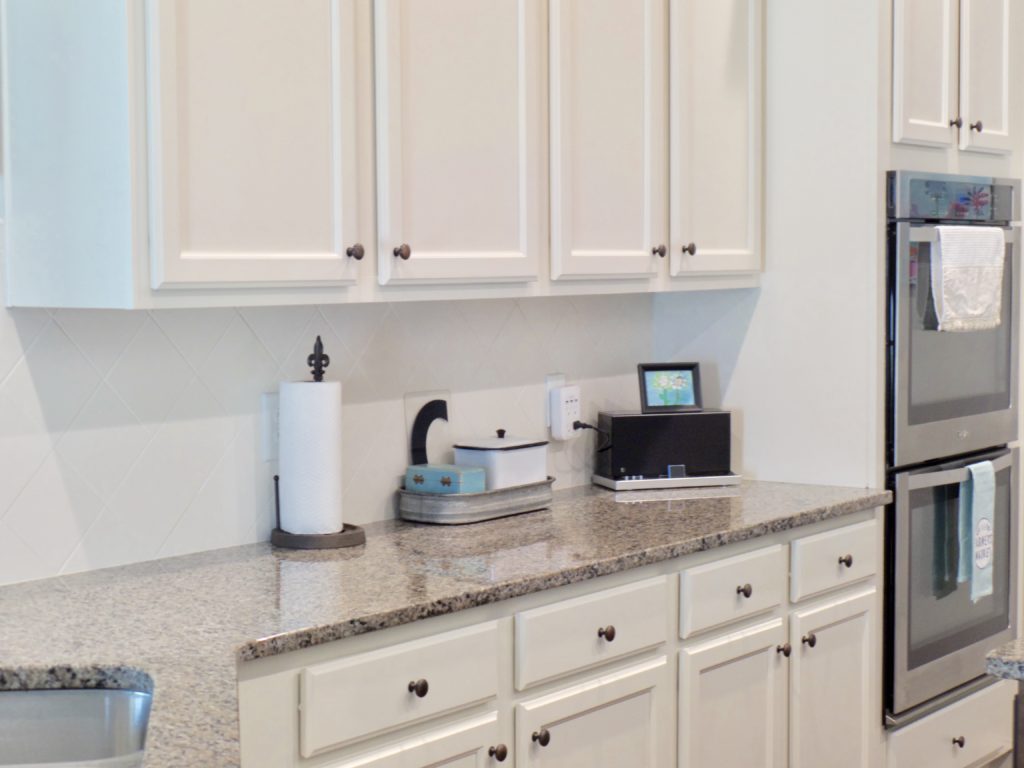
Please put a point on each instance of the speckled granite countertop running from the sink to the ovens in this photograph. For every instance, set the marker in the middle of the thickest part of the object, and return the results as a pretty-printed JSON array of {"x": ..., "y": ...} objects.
[{"x": 182, "y": 625}]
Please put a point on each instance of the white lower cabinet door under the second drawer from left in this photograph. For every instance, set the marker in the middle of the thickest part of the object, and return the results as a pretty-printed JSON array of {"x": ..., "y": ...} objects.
[{"x": 619, "y": 719}]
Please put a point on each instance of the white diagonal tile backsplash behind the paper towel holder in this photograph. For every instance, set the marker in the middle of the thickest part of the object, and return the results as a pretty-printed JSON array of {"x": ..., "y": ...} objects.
[{"x": 126, "y": 437}]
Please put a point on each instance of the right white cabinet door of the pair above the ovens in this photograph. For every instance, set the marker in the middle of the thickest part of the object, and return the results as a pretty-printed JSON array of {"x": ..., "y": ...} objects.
[{"x": 986, "y": 75}]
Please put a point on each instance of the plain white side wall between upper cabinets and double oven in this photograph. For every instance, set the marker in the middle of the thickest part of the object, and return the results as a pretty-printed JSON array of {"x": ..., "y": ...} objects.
[{"x": 798, "y": 359}]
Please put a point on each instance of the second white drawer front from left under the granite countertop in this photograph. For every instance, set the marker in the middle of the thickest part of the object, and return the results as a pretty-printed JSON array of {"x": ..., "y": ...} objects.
[{"x": 558, "y": 639}]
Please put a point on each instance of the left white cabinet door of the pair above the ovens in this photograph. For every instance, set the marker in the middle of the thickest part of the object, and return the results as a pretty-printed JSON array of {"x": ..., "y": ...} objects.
[{"x": 925, "y": 72}]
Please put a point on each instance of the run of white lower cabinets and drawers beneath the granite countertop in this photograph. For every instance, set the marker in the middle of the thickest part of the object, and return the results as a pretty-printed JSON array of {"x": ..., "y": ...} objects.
[{"x": 586, "y": 677}]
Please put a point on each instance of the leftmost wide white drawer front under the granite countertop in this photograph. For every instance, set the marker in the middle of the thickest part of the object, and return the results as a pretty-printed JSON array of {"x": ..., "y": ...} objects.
[{"x": 363, "y": 696}]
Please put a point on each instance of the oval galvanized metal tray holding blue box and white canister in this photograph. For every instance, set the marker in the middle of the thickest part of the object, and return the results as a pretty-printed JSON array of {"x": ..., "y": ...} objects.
[{"x": 458, "y": 509}]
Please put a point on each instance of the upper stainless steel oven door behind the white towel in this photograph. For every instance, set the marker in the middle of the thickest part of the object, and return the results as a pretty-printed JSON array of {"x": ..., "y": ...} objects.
[{"x": 956, "y": 393}]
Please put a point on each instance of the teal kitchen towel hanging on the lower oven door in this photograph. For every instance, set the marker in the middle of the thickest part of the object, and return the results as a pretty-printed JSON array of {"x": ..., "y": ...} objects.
[{"x": 977, "y": 507}]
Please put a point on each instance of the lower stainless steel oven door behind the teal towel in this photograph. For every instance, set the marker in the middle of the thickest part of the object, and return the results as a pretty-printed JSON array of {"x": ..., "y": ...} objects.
[{"x": 943, "y": 634}]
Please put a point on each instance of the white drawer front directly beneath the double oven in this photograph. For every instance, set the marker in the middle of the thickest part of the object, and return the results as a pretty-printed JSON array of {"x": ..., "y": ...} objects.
[{"x": 985, "y": 720}]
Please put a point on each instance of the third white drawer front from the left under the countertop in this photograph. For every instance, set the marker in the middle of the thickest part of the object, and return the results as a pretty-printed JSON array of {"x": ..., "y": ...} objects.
[{"x": 717, "y": 593}]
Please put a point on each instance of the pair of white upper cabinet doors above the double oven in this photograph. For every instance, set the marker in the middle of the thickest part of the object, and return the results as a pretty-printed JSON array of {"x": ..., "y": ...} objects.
[{"x": 952, "y": 74}]
